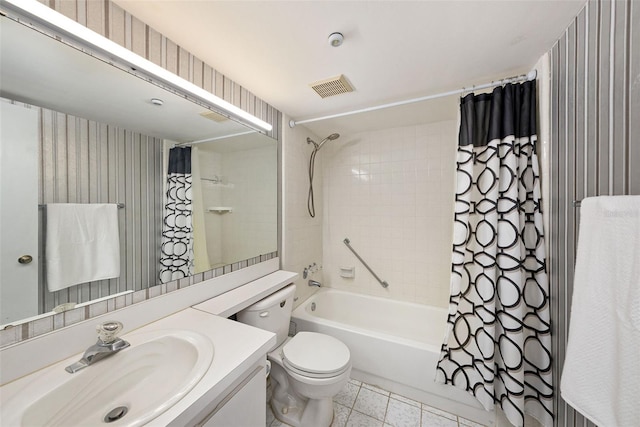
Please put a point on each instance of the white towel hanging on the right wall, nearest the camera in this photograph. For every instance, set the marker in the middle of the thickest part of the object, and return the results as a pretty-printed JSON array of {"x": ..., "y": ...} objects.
[{"x": 601, "y": 375}]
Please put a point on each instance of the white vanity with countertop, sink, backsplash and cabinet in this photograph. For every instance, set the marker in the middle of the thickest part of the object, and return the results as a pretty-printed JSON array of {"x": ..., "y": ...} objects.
[{"x": 191, "y": 367}]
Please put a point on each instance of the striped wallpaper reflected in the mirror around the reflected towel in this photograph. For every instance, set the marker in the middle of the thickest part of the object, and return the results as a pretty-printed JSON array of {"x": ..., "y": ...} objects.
[{"x": 82, "y": 161}]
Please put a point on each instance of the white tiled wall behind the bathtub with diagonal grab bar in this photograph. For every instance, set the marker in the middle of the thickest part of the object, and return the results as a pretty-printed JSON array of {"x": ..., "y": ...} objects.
[{"x": 391, "y": 193}]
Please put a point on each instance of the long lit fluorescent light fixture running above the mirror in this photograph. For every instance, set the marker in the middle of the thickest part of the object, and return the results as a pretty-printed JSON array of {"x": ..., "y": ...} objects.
[{"x": 59, "y": 23}]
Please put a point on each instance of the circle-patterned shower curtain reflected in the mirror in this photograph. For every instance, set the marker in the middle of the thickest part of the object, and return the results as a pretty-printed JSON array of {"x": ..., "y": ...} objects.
[{"x": 176, "y": 257}]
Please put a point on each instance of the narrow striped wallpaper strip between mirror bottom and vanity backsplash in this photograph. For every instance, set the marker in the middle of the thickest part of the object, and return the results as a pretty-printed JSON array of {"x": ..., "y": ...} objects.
[{"x": 12, "y": 335}]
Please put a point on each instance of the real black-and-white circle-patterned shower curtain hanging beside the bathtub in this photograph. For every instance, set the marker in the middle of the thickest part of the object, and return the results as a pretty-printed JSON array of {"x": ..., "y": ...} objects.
[{"x": 498, "y": 342}]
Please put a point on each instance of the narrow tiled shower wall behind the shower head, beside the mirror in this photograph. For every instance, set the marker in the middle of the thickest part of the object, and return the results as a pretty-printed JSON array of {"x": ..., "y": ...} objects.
[{"x": 302, "y": 235}]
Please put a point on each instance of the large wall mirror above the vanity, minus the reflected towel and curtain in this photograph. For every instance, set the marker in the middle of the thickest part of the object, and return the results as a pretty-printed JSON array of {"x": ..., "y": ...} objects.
[{"x": 87, "y": 132}]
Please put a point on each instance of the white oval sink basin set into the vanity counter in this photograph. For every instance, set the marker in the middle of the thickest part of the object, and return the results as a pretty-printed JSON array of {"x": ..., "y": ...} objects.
[{"x": 129, "y": 388}]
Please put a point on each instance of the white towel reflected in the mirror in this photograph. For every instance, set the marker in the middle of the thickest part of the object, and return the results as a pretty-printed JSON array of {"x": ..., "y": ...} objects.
[{"x": 82, "y": 244}]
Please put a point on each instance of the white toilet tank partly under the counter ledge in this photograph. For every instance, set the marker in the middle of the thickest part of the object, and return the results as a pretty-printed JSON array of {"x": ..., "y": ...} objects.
[{"x": 272, "y": 313}]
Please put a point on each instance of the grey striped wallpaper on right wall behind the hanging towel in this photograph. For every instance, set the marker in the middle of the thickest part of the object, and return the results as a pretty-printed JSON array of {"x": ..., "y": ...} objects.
[{"x": 595, "y": 139}]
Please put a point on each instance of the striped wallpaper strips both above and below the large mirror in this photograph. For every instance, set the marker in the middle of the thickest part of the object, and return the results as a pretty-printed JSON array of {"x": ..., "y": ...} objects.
[{"x": 111, "y": 21}]
